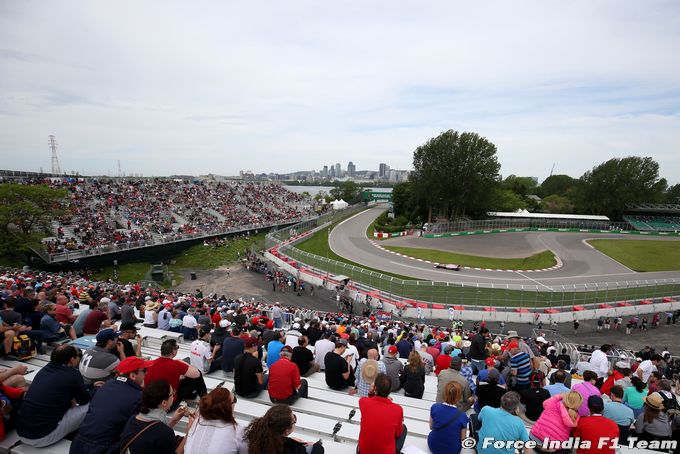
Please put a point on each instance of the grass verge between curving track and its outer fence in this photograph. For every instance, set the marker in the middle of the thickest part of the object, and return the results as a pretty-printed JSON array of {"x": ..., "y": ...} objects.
[{"x": 470, "y": 295}]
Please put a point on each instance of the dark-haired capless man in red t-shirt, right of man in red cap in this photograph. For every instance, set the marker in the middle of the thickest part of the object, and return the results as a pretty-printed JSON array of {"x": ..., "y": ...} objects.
[{"x": 172, "y": 370}]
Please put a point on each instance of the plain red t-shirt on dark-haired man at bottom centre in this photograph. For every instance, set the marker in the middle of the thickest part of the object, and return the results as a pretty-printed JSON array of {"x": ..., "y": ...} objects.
[{"x": 381, "y": 424}]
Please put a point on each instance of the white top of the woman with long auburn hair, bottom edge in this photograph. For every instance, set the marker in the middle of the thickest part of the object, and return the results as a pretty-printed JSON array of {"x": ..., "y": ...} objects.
[{"x": 214, "y": 436}]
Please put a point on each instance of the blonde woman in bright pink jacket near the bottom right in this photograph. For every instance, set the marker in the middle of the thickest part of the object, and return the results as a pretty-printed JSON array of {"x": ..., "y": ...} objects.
[{"x": 559, "y": 417}]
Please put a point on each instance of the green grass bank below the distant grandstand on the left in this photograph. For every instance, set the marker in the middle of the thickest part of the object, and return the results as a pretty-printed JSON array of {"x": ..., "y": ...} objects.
[{"x": 196, "y": 257}]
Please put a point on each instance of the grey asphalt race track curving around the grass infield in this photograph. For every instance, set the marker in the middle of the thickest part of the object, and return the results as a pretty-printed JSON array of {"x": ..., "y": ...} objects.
[{"x": 581, "y": 264}]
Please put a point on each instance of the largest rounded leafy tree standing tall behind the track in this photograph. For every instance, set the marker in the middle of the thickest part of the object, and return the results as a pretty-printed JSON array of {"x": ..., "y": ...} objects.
[{"x": 455, "y": 173}]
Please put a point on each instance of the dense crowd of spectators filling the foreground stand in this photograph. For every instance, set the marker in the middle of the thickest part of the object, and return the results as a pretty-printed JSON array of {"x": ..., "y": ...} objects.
[{"x": 502, "y": 386}]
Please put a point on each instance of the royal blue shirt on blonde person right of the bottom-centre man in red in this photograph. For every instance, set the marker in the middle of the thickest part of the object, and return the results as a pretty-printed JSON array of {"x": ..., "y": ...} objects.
[{"x": 445, "y": 435}]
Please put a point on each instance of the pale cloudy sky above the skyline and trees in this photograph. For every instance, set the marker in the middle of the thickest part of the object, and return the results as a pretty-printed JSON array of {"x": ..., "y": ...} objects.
[{"x": 197, "y": 87}]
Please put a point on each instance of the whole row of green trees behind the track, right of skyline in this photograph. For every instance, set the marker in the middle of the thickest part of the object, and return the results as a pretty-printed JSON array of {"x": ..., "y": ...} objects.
[{"x": 458, "y": 174}]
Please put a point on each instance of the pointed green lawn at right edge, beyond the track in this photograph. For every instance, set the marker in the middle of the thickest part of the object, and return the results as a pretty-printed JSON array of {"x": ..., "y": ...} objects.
[{"x": 642, "y": 255}]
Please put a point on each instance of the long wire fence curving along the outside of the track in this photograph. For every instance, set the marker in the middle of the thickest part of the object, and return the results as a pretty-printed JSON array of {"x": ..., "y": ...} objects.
[{"x": 531, "y": 297}]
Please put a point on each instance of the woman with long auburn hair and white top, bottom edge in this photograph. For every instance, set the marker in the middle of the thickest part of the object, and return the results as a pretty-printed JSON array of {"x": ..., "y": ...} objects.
[{"x": 214, "y": 430}]
